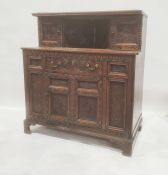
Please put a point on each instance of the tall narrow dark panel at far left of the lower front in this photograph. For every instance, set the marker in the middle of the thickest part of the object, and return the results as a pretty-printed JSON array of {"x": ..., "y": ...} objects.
[{"x": 37, "y": 94}]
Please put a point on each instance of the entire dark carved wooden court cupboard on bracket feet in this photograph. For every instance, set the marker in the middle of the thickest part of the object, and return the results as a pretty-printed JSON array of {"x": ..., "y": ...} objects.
[{"x": 87, "y": 75}]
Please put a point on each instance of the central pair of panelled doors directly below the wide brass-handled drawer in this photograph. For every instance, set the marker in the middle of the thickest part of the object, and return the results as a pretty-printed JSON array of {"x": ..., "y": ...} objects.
[{"x": 75, "y": 99}]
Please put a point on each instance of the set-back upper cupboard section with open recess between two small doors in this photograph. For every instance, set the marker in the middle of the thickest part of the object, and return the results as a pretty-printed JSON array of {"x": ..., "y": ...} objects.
[{"x": 120, "y": 31}]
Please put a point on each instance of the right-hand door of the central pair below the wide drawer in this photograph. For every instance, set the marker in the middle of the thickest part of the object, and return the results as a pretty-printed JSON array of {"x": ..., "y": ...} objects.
[{"x": 88, "y": 101}]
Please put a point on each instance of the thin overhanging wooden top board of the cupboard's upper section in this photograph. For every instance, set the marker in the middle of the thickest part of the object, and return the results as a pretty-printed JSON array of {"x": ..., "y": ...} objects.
[{"x": 92, "y": 13}]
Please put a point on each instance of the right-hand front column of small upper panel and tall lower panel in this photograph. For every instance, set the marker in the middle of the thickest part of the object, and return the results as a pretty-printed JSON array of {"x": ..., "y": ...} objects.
[{"x": 118, "y": 97}]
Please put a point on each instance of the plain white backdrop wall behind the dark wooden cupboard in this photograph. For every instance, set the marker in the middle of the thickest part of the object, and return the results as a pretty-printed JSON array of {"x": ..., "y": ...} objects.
[{"x": 19, "y": 29}]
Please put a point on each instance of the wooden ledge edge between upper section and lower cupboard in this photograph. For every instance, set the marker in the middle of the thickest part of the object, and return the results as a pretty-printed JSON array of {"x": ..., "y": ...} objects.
[{"x": 83, "y": 50}]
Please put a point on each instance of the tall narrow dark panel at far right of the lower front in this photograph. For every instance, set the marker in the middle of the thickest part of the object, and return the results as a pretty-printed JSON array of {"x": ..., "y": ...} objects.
[{"x": 117, "y": 97}]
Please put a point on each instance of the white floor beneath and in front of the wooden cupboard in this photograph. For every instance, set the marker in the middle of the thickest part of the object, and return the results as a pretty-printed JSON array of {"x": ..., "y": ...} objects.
[{"x": 50, "y": 152}]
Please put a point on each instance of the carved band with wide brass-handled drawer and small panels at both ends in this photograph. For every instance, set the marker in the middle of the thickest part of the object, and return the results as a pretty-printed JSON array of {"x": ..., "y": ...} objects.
[{"x": 81, "y": 64}]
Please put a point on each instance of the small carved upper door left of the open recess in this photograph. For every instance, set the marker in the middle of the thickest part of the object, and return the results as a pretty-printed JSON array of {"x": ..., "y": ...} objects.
[{"x": 51, "y": 34}]
